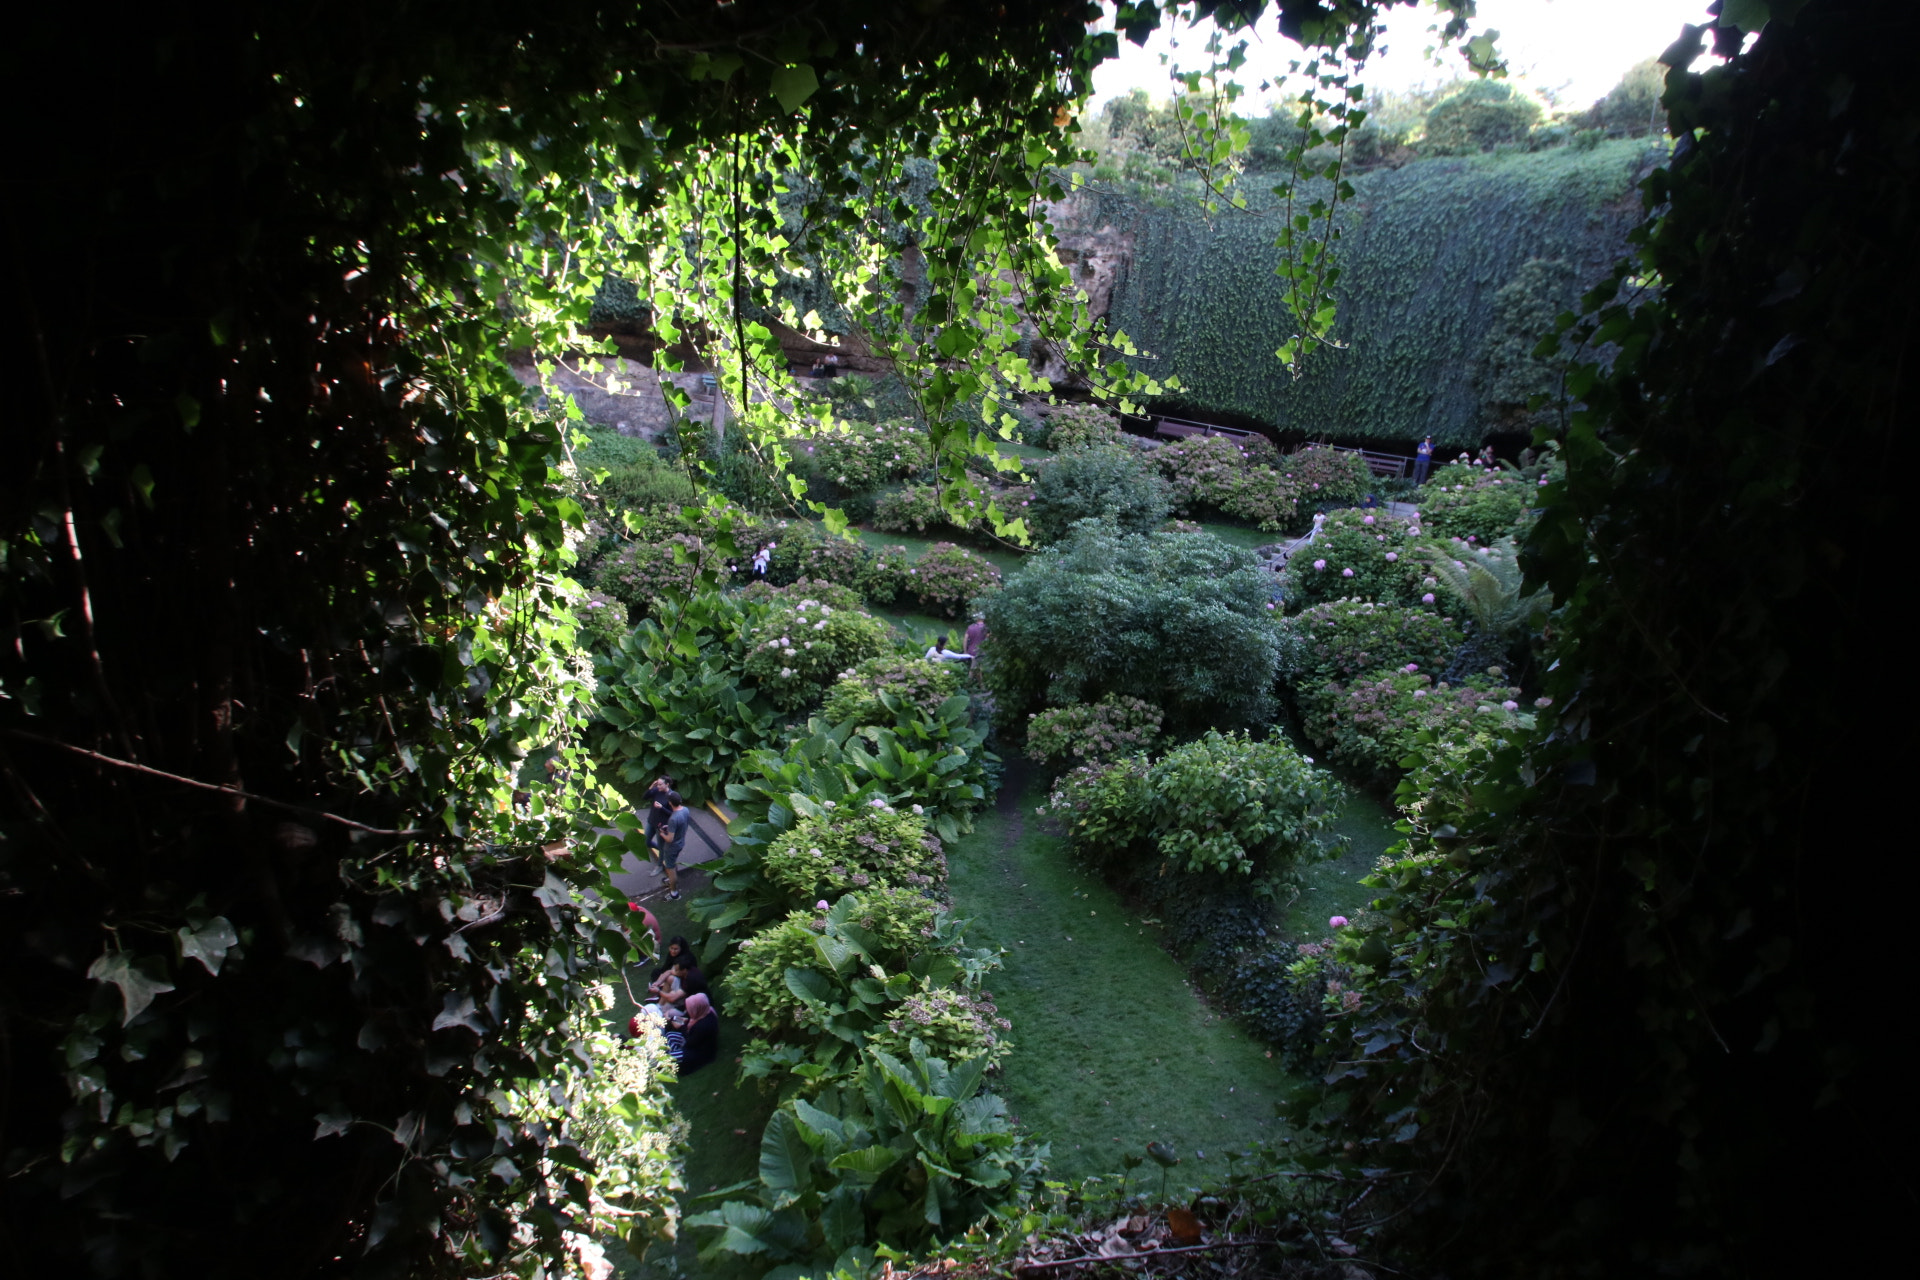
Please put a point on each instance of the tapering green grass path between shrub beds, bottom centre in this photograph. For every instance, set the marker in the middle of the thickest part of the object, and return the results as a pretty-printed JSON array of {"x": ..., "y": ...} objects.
[{"x": 1113, "y": 1049}]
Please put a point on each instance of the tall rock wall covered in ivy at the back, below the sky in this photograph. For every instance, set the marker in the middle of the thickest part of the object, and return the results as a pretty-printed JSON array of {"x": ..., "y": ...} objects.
[{"x": 1424, "y": 252}]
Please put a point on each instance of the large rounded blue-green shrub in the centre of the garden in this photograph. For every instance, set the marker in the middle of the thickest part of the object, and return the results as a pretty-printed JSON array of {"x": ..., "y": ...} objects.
[{"x": 1176, "y": 619}]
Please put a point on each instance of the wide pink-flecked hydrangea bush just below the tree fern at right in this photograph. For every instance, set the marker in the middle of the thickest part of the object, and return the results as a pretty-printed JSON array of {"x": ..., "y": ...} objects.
[{"x": 1376, "y": 723}]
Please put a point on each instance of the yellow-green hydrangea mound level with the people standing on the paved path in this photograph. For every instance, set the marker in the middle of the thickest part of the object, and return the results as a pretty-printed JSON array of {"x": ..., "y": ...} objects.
[{"x": 865, "y": 849}]
